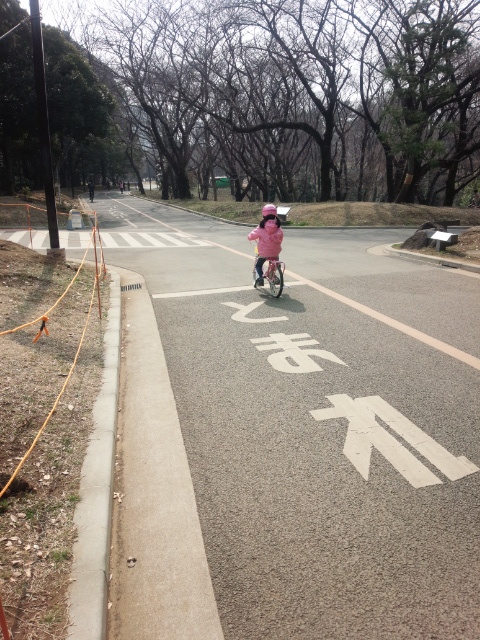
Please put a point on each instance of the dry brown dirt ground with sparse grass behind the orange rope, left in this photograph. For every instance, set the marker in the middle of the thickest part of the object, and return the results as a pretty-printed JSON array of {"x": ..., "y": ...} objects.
[{"x": 36, "y": 528}]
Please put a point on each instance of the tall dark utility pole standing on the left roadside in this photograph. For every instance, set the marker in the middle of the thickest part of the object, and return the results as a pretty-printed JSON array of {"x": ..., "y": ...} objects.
[{"x": 44, "y": 128}]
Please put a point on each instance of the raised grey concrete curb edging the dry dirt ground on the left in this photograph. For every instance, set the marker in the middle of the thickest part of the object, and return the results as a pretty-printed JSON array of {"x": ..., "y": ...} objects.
[{"x": 88, "y": 593}]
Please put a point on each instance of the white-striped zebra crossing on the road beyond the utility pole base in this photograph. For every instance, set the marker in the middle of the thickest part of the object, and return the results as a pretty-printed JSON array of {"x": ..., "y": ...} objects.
[{"x": 110, "y": 240}]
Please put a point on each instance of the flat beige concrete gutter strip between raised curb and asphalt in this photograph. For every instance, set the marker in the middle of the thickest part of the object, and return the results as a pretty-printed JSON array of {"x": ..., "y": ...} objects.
[{"x": 169, "y": 595}]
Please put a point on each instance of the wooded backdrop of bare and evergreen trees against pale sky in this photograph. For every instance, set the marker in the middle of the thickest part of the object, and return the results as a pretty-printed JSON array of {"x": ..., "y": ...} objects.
[{"x": 292, "y": 100}]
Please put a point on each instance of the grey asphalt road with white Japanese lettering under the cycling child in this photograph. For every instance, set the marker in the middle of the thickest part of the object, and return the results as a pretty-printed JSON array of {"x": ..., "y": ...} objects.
[{"x": 332, "y": 435}]
